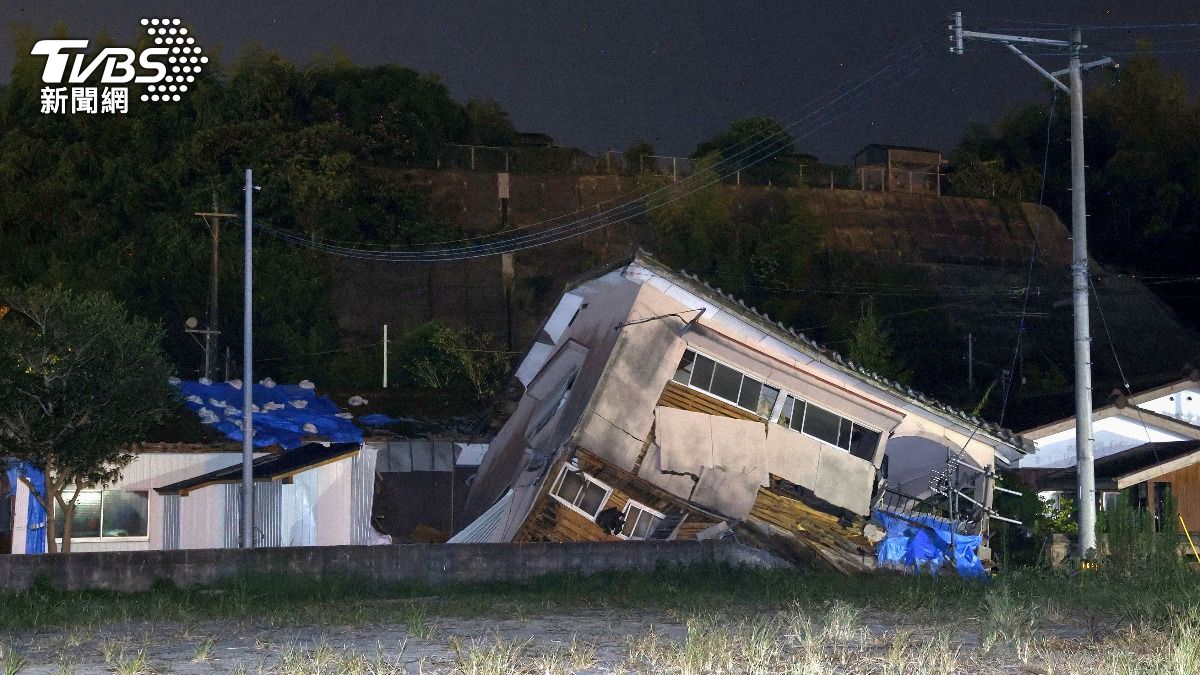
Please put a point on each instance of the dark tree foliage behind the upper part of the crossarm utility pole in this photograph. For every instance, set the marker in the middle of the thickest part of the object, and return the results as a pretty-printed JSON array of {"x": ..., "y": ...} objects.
[{"x": 1143, "y": 147}]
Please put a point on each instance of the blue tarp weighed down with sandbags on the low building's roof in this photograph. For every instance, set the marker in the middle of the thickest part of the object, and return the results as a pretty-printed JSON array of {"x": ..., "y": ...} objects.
[{"x": 284, "y": 414}]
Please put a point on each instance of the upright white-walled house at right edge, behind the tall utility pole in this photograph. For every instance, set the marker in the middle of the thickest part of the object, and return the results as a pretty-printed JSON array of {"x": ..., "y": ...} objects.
[{"x": 1147, "y": 449}]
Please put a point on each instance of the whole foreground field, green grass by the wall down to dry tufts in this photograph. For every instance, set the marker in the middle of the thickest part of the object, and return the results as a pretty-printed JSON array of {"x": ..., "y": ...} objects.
[{"x": 679, "y": 620}]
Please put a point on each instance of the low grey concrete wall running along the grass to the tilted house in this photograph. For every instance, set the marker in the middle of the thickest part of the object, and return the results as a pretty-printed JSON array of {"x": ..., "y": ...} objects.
[{"x": 418, "y": 564}]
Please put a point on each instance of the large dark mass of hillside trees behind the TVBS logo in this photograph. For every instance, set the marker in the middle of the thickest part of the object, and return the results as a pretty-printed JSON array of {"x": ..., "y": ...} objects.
[{"x": 106, "y": 202}]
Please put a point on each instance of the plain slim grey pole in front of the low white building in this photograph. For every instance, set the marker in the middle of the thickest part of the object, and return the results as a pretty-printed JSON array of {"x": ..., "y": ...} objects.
[{"x": 248, "y": 383}]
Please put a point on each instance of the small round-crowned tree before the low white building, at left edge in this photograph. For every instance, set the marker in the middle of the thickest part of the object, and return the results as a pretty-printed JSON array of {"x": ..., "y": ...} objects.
[{"x": 81, "y": 384}]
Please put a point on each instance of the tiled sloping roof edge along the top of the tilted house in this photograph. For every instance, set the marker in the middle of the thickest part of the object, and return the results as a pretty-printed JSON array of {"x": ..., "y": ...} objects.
[{"x": 832, "y": 359}]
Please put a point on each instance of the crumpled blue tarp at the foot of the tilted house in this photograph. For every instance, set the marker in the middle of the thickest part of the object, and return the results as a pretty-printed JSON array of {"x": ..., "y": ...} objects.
[{"x": 921, "y": 542}]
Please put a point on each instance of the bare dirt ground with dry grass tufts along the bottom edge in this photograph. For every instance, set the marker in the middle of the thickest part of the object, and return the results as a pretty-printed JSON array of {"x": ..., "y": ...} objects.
[{"x": 835, "y": 638}]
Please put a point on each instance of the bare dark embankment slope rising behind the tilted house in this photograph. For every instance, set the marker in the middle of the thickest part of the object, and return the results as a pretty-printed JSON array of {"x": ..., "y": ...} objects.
[{"x": 968, "y": 262}]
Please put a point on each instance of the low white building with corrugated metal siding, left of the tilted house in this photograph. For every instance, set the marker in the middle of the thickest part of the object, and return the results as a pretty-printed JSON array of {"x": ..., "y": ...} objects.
[{"x": 187, "y": 498}]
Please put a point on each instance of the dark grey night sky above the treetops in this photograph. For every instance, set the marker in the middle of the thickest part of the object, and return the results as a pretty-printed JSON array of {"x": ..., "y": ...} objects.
[{"x": 602, "y": 76}]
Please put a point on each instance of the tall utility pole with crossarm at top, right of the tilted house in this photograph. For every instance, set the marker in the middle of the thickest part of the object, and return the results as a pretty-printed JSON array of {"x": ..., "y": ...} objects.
[{"x": 1084, "y": 440}]
